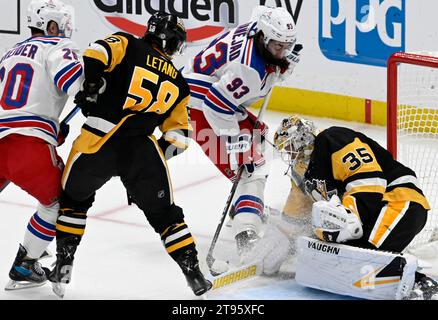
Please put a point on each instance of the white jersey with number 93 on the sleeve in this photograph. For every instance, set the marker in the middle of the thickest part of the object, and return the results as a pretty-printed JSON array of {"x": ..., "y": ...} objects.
[{"x": 228, "y": 76}]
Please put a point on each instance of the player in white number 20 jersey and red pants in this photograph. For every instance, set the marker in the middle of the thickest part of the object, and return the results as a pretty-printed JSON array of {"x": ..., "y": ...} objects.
[{"x": 36, "y": 78}]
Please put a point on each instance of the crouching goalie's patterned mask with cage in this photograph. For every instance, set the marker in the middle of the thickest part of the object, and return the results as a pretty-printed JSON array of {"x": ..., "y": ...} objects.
[{"x": 295, "y": 139}]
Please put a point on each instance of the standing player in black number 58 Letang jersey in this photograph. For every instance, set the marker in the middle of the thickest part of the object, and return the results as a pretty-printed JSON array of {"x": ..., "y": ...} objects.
[{"x": 131, "y": 87}]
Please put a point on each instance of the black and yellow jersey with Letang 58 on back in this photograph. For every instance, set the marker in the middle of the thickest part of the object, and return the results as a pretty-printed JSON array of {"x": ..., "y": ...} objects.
[{"x": 143, "y": 90}]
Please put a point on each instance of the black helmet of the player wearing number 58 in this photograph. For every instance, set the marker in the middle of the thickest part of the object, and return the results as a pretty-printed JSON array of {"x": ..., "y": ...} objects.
[{"x": 169, "y": 31}]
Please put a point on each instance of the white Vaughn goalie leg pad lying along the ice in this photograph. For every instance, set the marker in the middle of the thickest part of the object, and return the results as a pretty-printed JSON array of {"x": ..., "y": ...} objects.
[{"x": 357, "y": 272}]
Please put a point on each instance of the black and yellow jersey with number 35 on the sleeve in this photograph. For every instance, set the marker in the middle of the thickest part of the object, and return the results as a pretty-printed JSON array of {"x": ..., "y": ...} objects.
[{"x": 358, "y": 166}]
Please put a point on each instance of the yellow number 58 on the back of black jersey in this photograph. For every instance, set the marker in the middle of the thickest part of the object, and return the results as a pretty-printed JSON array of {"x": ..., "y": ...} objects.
[{"x": 167, "y": 93}]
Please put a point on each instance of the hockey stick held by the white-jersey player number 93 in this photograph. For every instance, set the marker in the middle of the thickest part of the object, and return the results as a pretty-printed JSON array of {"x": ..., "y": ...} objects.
[{"x": 210, "y": 259}]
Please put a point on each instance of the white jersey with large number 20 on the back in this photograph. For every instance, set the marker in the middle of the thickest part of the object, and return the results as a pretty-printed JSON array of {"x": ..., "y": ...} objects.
[{"x": 36, "y": 77}]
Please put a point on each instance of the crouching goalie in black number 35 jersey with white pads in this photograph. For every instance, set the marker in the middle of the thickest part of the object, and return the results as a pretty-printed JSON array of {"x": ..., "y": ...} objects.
[{"x": 360, "y": 196}]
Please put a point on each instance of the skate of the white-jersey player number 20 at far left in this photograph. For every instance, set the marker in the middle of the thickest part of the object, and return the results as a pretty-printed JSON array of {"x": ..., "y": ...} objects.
[{"x": 25, "y": 272}]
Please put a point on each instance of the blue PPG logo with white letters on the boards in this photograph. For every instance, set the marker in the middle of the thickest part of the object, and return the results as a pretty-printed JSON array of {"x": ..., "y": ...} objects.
[{"x": 361, "y": 31}]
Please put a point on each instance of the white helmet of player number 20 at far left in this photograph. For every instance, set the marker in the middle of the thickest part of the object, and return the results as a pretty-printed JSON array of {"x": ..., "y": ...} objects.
[{"x": 41, "y": 12}]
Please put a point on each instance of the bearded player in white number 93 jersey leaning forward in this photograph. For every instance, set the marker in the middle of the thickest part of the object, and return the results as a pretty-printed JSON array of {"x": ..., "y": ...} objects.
[{"x": 235, "y": 70}]
